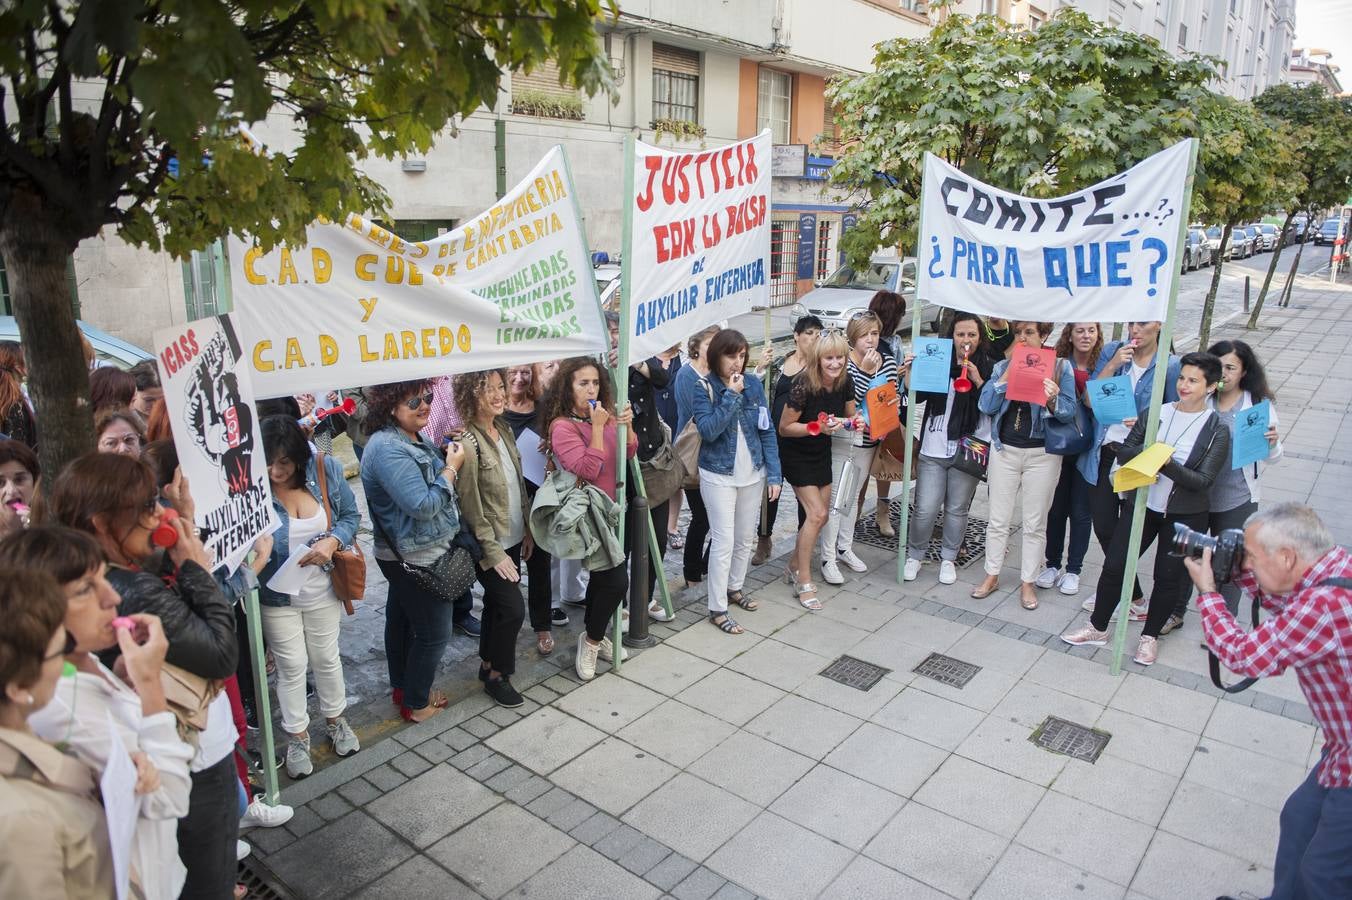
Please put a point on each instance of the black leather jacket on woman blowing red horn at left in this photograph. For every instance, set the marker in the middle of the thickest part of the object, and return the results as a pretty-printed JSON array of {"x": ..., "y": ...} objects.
[{"x": 198, "y": 620}]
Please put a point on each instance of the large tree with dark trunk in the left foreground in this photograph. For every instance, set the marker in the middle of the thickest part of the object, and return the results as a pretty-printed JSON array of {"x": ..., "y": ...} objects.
[{"x": 125, "y": 114}]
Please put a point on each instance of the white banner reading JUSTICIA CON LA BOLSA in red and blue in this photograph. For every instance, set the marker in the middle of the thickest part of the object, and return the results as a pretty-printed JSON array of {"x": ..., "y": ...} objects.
[{"x": 698, "y": 241}]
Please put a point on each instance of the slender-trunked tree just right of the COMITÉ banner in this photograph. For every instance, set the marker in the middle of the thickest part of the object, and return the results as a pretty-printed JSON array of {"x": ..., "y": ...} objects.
[{"x": 1246, "y": 167}]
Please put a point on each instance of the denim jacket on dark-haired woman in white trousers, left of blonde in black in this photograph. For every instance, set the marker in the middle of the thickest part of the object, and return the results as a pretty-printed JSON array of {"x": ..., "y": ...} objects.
[{"x": 717, "y": 421}]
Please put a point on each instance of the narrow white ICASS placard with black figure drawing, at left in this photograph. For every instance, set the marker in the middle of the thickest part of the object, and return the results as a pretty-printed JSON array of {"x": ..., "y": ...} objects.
[{"x": 212, "y": 410}]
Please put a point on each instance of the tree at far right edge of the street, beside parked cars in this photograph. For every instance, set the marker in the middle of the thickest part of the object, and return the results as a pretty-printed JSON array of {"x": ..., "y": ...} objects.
[{"x": 1319, "y": 124}]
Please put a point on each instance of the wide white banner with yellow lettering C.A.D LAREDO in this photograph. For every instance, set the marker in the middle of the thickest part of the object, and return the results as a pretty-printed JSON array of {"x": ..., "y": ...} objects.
[{"x": 360, "y": 306}]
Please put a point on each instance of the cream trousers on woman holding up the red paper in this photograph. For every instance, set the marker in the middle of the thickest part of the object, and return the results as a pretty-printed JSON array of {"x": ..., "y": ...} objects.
[{"x": 1036, "y": 472}]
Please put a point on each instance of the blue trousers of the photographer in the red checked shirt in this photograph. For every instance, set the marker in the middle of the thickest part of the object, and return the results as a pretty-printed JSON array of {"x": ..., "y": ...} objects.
[{"x": 1315, "y": 851}]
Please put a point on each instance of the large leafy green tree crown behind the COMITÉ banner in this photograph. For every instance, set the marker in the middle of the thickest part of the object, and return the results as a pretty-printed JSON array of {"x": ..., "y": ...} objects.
[{"x": 1038, "y": 113}]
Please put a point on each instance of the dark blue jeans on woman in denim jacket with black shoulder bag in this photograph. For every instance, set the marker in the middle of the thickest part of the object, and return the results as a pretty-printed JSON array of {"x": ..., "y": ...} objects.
[{"x": 417, "y": 633}]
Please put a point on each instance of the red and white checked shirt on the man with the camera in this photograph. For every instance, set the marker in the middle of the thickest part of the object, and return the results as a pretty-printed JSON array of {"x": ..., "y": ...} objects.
[{"x": 1311, "y": 630}]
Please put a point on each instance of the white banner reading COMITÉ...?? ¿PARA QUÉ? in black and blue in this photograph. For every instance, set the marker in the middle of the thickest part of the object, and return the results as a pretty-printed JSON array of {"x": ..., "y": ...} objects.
[{"x": 1107, "y": 253}]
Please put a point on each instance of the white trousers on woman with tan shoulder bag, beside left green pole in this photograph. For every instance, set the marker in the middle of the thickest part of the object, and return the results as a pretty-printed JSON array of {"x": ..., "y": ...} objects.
[{"x": 306, "y": 640}]
